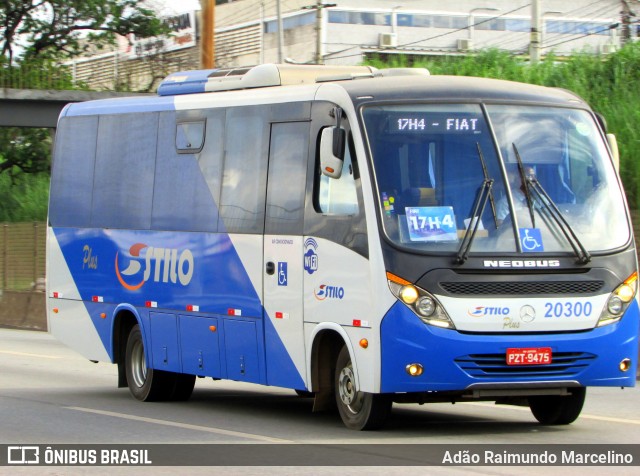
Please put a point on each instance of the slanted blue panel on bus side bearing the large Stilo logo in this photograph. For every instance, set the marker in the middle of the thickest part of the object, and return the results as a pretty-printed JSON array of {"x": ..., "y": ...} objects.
[{"x": 163, "y": 273}]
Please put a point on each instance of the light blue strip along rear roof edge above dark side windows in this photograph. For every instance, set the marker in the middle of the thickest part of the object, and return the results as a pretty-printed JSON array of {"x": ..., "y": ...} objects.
[{"x": 121, "y": 106}]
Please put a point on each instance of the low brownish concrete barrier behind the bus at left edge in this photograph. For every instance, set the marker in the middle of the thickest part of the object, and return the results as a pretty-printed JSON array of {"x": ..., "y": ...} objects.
[{"x": 23, "y": 310}]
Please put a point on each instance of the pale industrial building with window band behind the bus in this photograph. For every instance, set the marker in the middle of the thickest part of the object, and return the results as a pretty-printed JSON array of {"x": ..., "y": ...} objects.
[{"x": 247, "y": 33}]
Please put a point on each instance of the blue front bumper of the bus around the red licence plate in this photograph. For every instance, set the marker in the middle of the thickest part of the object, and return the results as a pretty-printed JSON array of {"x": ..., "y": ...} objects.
[{"x": 454, "y": 361}]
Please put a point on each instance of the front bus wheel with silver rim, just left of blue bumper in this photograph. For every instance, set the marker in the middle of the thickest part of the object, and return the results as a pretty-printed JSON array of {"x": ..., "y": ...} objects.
[{"x": 358, "y": 410}]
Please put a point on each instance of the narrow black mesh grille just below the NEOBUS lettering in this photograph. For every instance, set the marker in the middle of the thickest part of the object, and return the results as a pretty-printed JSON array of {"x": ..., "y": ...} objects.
[{"x": 523, "y": 287}]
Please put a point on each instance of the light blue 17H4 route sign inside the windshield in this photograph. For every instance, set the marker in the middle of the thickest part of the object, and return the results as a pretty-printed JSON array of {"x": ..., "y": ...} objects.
[{"x": 431, "y": 224}]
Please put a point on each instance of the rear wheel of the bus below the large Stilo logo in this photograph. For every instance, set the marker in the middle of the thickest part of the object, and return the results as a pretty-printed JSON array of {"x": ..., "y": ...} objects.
[{"x": 145, "y": 384}]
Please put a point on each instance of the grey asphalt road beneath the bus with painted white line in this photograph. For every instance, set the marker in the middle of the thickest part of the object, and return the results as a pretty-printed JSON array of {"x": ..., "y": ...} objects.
[{"x": 50, "y": 395}]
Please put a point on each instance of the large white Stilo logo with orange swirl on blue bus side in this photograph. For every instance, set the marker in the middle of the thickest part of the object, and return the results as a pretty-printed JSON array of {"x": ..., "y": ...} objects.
[{"x": 164, "y": 265}]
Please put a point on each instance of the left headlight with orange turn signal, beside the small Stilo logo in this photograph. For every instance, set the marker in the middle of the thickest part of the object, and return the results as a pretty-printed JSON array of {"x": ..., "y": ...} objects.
[{"x": 423, "y": 304}]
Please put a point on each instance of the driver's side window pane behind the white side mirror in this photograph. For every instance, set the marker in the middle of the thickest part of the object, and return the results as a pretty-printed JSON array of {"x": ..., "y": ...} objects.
[{"x": 338, "y": 196}]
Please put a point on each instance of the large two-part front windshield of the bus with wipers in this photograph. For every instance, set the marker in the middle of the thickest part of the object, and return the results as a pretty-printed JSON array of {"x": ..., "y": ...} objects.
[{"x": 524, "y": 178}]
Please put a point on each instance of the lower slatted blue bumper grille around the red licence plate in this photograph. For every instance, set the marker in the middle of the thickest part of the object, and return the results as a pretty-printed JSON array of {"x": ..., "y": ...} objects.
[{"x": 564, "y": 364}]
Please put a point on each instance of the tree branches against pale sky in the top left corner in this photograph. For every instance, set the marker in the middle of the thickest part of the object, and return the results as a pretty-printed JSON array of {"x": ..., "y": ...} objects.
[{"x": 51, "y": 28}]
